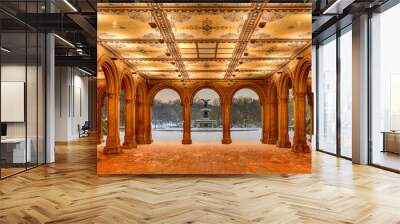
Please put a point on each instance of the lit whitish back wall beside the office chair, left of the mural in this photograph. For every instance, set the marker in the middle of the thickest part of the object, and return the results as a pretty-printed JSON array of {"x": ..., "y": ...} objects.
[{"x": 71, "y": 102}]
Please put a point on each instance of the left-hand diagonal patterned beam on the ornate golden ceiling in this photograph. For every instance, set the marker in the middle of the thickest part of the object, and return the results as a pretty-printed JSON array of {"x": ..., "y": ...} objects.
[{"x": 165, "y": 28}]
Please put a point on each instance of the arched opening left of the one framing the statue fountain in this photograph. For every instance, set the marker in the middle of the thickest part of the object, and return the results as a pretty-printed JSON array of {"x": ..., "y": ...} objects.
[{"x": 167, "y": 118}]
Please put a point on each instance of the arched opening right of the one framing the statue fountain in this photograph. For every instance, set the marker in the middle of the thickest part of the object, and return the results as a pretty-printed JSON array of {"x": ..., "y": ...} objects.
[{"x": 246, "y": 116}]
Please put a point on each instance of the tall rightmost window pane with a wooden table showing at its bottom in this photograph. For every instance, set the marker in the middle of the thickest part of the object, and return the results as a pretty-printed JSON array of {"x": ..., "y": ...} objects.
[{"x": 385, "y": 89}]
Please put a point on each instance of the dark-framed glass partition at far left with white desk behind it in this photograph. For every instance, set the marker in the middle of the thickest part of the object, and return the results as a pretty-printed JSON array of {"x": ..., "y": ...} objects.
[{"x": 22, "y": 77}]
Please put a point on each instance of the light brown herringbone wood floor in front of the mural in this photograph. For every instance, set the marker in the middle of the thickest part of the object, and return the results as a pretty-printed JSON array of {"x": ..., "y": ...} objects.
[{"x": 71, "y": 192}]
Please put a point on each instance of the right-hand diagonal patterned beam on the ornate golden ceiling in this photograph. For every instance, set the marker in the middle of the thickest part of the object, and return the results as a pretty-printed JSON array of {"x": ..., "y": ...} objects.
[{"x": 247, "y": 31}]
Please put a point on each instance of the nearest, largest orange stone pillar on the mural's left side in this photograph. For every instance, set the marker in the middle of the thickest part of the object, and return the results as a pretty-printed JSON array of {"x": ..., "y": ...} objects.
[{"x": 113, "y": 141}]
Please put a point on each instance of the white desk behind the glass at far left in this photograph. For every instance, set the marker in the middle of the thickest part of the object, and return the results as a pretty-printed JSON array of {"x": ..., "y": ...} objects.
[{"x": 13, "y": 150}]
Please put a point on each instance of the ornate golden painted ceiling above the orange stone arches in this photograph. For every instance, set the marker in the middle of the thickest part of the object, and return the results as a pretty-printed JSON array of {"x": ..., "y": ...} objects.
[{"x": 205, "y": 40}]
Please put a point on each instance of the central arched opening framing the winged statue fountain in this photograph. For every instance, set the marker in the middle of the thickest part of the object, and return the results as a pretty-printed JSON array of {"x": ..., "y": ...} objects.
[{"x": 206, "y": 119}]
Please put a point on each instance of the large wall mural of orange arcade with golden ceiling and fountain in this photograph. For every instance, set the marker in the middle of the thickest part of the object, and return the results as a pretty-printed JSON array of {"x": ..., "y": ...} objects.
[{"x": 211, "y": 88}]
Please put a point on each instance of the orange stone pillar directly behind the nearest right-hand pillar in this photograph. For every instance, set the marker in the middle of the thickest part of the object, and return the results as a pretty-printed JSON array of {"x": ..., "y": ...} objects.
[{"x": 283, "y": 124}]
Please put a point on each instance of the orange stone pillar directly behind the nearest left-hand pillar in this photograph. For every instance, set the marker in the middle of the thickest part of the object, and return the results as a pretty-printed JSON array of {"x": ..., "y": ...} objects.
[{"x": 129, "y": 141}]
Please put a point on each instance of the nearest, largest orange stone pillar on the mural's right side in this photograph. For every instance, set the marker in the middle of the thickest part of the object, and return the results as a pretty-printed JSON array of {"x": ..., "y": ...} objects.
[{"x": 299, "y": 140}]
